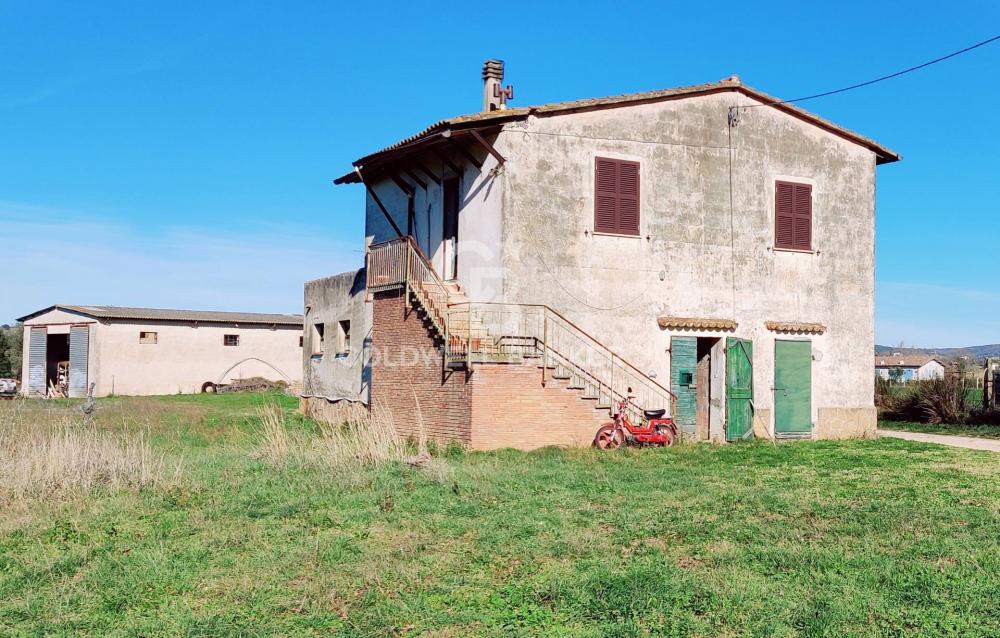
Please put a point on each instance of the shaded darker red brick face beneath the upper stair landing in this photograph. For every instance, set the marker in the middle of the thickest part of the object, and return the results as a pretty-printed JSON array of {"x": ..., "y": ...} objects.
[{"x": 406, "y": 370}]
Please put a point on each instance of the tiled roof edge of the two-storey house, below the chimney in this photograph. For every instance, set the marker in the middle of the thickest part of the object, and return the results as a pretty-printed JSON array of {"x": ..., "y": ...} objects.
[{"x": 729, "y": 84}]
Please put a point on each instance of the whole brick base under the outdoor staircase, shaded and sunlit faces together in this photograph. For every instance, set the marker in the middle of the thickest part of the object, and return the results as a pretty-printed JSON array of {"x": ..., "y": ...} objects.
[{"x": 496, "y": 406}]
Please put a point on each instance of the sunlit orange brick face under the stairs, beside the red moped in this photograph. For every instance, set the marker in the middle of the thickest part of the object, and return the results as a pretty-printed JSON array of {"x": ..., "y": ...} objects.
[{"x": 510, "y": 408}]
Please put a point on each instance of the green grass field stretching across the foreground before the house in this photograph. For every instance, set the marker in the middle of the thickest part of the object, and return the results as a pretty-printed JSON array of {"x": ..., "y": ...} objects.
[{"x": 859, "y": 538}]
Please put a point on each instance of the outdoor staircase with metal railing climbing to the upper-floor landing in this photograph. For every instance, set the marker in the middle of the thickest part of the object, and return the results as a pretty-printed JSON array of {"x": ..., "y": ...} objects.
[{"x": 513, "y": 340}]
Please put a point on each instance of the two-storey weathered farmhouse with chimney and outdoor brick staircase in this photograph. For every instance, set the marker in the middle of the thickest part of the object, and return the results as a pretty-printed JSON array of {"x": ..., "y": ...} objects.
[{"x": 706, "y": 249}]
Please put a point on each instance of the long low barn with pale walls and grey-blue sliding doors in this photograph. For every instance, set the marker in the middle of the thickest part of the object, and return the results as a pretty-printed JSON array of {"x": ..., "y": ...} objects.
[{"x": 144, "y": 351}]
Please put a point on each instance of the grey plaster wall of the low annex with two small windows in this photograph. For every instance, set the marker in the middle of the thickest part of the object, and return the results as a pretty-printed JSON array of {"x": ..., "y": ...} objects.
[{"x": 326, "y": 376}]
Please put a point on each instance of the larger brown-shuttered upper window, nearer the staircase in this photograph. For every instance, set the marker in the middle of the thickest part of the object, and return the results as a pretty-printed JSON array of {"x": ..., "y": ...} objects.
[{"x": 616, "y": 196}]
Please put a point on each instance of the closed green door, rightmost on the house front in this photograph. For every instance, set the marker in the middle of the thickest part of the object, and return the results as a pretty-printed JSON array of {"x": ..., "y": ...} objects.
[{"x": 792, "y": 387}]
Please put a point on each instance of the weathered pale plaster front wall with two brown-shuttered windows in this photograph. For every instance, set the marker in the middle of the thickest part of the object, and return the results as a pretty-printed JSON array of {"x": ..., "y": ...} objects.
[{"x": 705, "y": 250}]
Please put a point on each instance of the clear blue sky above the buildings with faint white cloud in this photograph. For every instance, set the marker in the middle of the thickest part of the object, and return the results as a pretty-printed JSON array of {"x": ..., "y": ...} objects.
[{"x": 181, "y": 154}]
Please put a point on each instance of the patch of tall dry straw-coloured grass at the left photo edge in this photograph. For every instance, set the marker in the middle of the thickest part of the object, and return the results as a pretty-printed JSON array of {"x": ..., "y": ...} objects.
[{"x": 49, "y": 452}]
